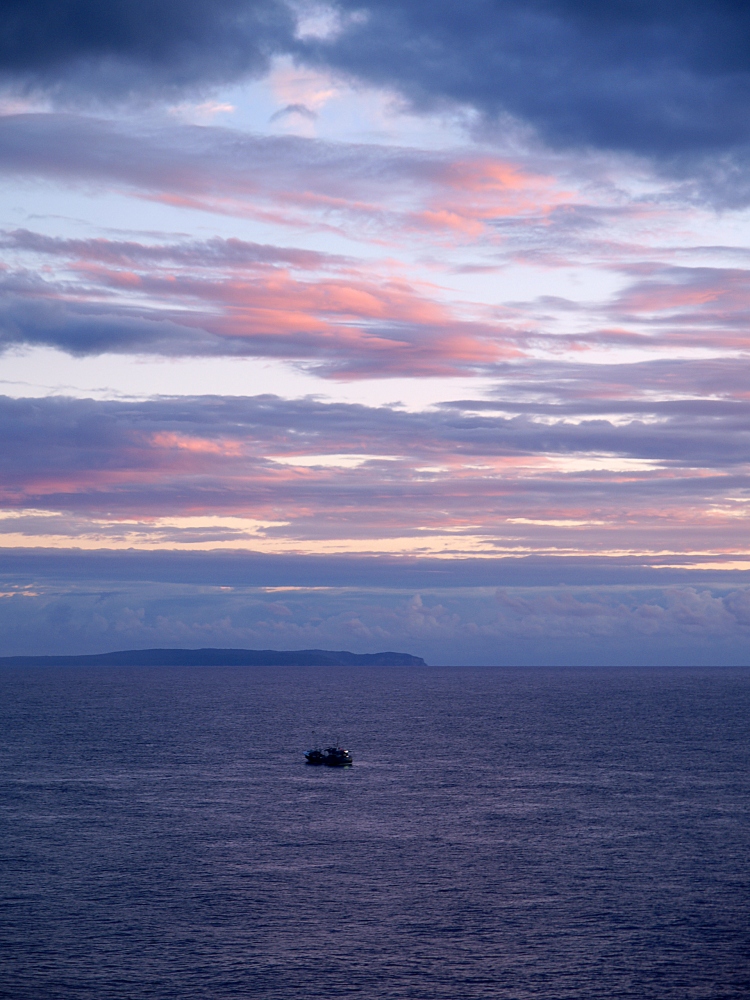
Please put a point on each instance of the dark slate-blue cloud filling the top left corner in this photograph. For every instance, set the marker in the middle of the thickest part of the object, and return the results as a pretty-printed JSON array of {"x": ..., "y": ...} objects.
[{"x": 130, "y": 46}]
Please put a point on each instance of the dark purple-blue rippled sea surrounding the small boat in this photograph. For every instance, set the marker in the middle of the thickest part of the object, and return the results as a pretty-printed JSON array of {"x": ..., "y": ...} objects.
[{"x": 504, "y": 833}]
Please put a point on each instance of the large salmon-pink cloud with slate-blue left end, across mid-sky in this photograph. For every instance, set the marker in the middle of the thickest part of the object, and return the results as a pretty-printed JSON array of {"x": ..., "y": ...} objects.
[{"x": 348, "y": 325}]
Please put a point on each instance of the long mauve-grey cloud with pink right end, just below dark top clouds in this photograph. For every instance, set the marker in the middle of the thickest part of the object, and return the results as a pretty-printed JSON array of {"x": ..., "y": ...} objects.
[{"x": 370, "y": 192}]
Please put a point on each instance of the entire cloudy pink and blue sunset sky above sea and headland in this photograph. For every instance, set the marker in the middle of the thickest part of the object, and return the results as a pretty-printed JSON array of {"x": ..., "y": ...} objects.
[{"x": 376, "y": 325}]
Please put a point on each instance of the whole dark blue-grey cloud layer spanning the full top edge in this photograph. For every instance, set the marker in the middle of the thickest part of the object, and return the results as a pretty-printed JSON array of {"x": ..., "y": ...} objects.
[{"x": 666, "y": 79}]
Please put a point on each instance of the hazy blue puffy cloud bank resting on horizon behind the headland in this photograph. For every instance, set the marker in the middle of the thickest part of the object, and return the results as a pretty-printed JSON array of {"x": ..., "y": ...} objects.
[{"x": 595, "y": 624}]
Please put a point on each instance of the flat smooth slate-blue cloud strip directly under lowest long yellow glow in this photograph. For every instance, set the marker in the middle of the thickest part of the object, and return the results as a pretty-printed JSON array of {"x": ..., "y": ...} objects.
[{"x": 53, "y": 569}]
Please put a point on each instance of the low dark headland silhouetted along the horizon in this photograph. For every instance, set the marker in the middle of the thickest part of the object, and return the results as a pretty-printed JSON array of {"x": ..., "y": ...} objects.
[{"x": 220, "y": 658}]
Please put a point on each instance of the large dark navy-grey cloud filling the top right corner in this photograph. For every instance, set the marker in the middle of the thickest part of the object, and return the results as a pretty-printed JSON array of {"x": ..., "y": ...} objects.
[{"x": 656, "y": 78}]
